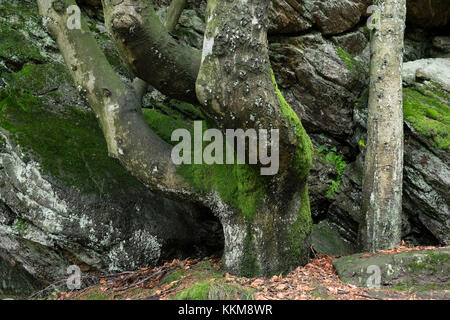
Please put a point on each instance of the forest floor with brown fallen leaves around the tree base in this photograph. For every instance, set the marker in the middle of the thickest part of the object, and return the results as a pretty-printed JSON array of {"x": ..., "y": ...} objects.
[{"x": 203, "y": 279}]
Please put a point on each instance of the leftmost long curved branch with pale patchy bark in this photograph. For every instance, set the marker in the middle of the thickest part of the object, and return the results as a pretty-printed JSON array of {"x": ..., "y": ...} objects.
[{"x": 116, "y": 104}]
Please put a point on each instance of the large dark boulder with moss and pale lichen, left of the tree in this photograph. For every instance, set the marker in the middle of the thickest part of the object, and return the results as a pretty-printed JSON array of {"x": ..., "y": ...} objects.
[{"x": 63, "y": 201}]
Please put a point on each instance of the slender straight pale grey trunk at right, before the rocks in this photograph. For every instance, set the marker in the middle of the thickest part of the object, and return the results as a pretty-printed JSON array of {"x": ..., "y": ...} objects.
[{"x": 383, "y": 175}]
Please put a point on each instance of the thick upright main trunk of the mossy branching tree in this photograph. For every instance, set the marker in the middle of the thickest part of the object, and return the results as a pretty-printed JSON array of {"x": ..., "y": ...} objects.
[{"x": 237, "y": 90}]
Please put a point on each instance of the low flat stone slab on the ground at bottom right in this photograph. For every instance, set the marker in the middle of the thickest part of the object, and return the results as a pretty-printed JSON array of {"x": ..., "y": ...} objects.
[{"x": 423, "y": 269}]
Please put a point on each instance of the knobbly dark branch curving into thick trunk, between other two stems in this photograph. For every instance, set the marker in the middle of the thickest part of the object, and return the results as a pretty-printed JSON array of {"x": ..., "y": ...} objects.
[{"x": 152, "y": 54}]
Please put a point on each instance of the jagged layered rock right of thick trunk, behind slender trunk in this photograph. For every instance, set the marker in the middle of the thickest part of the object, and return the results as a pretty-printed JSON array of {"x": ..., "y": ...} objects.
[{"x": 325, "y": 79}]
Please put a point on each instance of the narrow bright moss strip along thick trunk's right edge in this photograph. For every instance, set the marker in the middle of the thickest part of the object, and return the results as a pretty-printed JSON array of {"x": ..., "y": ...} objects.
[{"x": 304, "y": 153}]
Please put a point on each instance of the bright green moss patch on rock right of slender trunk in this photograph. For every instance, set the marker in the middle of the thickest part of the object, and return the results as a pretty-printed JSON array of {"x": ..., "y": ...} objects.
[{"x": 429, "y": 113}]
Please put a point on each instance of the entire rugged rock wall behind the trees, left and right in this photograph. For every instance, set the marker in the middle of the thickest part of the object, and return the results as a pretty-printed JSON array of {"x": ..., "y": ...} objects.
[{"x": 63, "y": 201}]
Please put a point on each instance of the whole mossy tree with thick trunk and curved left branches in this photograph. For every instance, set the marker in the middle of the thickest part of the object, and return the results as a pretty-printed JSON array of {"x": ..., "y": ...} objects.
[{"x": 266, "y": 219}]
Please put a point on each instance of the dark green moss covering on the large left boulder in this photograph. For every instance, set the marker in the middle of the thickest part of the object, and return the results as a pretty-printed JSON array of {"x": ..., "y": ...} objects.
[{"x": 67, "y": 141}]
